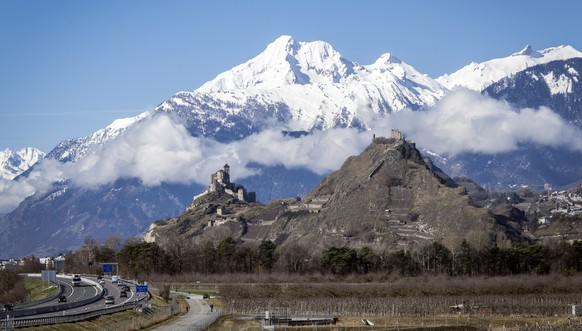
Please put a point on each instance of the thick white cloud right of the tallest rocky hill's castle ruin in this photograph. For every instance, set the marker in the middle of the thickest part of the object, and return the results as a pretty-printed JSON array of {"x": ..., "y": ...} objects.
[{"x": 467, "y": 121}]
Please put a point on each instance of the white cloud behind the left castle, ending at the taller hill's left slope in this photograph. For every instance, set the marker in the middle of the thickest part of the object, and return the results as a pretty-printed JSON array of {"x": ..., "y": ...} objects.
[{"x": 161, "y": 150}]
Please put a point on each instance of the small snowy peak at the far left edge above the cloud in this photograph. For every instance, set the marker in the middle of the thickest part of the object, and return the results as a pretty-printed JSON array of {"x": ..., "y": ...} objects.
[{"x": 13, "y": 163}]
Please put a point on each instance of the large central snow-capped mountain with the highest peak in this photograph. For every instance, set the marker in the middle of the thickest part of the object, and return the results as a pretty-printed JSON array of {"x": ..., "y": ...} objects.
[{"x": 303, "y": 86}]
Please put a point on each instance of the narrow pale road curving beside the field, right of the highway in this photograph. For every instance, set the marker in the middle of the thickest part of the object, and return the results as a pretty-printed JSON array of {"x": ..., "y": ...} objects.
[{"x": 197, "y": 318}]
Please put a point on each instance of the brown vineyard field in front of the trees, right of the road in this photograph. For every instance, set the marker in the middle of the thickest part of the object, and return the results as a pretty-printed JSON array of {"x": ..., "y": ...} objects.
[{"x": 431, "y": 303}]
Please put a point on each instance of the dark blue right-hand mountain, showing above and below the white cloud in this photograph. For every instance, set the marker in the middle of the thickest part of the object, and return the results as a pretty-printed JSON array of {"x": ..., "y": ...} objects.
[{"x": 556, "y": 85}]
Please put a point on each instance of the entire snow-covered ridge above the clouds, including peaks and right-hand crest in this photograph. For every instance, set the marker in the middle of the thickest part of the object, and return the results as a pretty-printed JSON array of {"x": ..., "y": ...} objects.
[{"x": 309, "y": 86}]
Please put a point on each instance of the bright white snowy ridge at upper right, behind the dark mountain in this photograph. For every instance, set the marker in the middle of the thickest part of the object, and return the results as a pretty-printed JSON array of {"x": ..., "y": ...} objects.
[{"x": 477, "y": 76}]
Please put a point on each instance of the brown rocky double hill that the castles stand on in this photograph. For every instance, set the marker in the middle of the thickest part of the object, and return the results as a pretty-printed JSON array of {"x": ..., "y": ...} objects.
[{"x": 388, "y": 197}]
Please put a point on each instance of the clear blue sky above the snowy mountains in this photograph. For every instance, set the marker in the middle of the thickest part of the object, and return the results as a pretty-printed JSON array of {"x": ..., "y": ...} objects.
[{"x": 69, "y": 68}]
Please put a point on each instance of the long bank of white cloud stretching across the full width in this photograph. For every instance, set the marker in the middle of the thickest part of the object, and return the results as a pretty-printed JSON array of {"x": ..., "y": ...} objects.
[{"x": 161, "y": 149}]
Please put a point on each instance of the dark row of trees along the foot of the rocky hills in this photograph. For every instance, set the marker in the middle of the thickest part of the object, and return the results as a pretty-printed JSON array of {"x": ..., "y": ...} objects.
[{"x": 137, "y": 259}]
